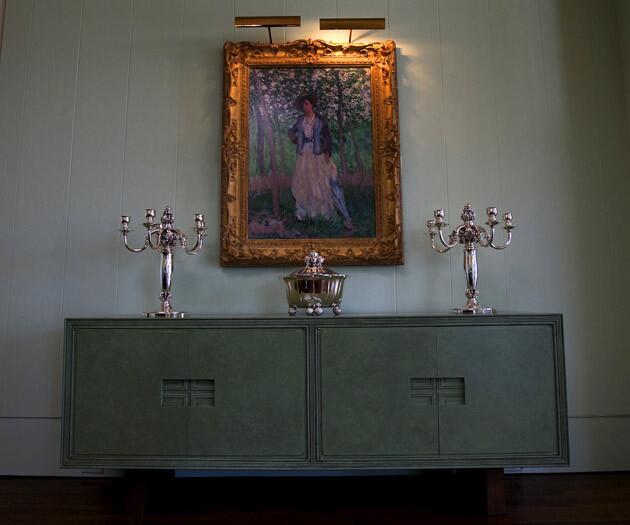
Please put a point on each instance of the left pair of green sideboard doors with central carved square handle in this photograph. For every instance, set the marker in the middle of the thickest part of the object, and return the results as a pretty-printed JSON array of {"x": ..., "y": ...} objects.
[{"x": 187, "y": 397}]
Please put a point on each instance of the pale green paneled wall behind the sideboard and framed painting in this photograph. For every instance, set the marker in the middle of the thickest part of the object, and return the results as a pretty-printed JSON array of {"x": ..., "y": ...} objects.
[{"x": 109, "y": 107}]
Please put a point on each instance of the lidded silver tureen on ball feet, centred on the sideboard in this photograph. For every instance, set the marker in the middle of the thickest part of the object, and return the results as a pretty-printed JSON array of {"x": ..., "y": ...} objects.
[{"x": 314, "y": 287}]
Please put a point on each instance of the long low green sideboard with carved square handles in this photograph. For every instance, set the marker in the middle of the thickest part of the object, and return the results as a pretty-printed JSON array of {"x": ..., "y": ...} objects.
[{"x": 354, "y": 392}]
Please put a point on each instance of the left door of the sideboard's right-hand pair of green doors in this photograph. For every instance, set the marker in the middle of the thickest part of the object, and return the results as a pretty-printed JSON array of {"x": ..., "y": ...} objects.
[{"x": 376, "y": 394}]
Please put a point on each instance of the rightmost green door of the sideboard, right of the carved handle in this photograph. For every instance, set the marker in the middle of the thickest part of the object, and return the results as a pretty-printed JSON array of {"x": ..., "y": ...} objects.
[{"x": 509, "y": 407}]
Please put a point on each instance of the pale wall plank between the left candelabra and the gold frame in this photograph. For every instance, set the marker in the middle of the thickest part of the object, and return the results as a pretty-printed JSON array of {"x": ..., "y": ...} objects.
[{"x": 197, "y": 282}]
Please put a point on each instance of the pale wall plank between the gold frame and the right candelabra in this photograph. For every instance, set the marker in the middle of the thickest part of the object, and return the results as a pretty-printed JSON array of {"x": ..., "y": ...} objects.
[{"x": 424, "y": 282}]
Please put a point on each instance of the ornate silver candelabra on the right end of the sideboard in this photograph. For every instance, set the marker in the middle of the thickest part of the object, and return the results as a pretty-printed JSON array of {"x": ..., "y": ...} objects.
[{"x": 470, "y": 235}]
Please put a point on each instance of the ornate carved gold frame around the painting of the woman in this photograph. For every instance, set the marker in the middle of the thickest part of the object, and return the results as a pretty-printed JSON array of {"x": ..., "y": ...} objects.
[{"x": 386, "y": 248}]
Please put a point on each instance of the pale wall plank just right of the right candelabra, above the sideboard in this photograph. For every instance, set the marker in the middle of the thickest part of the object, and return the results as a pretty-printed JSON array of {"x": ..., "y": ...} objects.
[{"x": 521, "y": 125}]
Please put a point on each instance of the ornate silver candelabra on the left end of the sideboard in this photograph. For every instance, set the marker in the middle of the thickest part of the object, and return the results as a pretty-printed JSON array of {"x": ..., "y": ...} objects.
[{"x": 164, "y": 238}]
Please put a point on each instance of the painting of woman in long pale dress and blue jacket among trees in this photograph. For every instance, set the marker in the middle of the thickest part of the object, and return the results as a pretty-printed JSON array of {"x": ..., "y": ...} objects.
[{"x": 310, "y": 154}]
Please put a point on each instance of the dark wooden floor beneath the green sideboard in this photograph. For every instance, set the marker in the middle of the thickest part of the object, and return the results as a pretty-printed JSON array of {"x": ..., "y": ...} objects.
[{"x": 436, "y": 498}]
